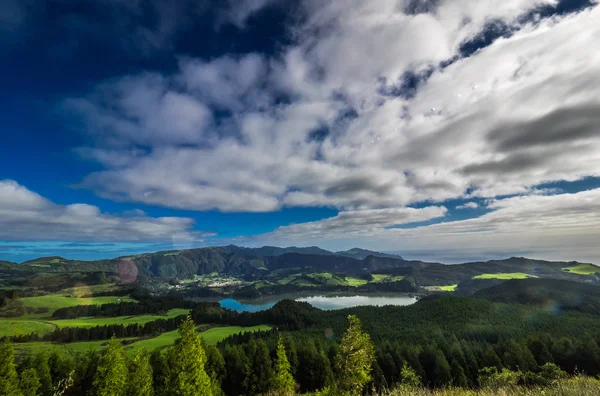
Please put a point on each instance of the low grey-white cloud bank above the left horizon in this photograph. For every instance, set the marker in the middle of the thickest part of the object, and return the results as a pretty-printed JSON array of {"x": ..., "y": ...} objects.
[{"x": 27, "y": 216}]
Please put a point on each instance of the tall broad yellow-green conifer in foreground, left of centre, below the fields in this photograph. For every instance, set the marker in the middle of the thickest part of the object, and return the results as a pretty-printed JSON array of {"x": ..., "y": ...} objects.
[{"x": 187, "y": 359}]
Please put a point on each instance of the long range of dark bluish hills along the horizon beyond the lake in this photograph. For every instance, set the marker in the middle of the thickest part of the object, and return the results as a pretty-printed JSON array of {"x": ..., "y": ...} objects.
[{"x": 269, "y": 265}]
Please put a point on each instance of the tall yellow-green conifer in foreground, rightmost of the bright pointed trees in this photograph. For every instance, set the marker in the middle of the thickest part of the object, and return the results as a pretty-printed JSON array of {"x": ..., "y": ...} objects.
[{"x": 354, "y": 361}]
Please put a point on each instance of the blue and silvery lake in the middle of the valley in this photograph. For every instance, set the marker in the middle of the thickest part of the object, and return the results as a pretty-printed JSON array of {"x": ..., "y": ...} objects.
[{"x": 321, "y": 302}]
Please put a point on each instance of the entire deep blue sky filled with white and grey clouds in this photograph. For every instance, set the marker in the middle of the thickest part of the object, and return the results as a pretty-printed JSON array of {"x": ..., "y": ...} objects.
[{"x": 443, "y": 130}]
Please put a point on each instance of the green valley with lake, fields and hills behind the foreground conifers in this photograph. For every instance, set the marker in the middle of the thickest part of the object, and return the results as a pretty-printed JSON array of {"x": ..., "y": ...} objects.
[{"x": 497, "y": 313}]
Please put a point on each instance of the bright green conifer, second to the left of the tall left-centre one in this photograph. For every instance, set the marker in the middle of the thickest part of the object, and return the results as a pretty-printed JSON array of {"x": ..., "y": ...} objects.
[{"x": 111, "y": 375}]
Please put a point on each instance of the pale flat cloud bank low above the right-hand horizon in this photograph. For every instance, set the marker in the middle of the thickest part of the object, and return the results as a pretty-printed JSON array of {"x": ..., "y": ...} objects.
[{"x": 553, "y": 227}]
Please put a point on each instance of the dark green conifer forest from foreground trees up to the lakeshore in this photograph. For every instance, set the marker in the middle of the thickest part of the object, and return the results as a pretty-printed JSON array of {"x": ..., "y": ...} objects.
[{"x": 438, "y": 342}]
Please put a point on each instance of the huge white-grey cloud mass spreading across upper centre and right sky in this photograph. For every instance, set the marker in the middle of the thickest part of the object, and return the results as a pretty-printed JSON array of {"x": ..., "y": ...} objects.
[{"x": 311, "y": 127}]
